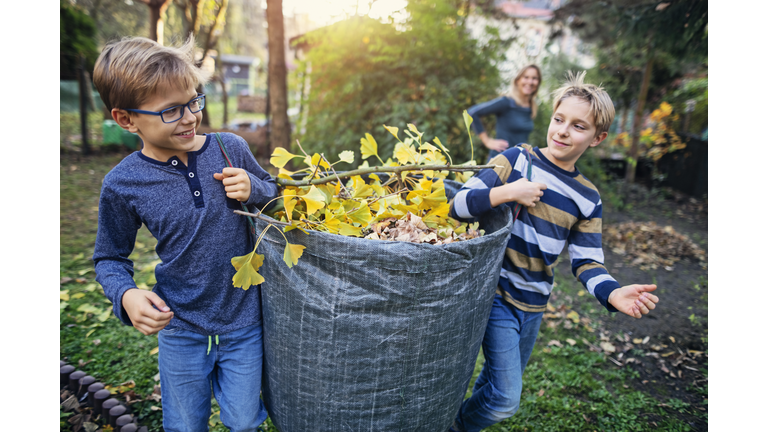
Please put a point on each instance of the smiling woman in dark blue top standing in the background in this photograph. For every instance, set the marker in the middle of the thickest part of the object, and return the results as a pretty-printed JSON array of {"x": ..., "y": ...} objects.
[{"x": 514, "y": 112}]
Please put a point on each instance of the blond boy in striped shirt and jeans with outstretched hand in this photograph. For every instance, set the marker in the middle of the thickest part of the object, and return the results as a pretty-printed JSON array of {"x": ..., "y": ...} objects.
[{"x": 561, "y": 207}]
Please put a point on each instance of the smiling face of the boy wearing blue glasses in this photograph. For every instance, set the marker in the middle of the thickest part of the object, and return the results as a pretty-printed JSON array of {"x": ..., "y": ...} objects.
[{"x": 164, "y": 140}]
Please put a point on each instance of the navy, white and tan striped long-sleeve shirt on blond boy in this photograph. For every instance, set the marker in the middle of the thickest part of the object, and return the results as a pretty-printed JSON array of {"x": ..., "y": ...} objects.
[{"x": 570, "y": 212}]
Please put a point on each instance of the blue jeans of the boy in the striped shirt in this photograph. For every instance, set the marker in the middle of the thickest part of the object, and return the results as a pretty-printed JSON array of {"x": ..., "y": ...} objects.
[{"x": 507, "y": 345}]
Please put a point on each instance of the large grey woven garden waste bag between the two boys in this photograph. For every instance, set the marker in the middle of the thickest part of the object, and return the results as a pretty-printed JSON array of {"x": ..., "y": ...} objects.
[{"x": 369, "y": 335}]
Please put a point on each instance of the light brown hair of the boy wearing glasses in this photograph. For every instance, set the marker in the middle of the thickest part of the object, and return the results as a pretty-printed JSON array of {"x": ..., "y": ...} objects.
[{"x": 131, "y": 70}]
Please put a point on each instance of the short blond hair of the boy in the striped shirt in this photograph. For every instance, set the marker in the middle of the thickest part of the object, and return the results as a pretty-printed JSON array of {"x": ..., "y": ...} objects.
[{"x": 600, "y": 104}]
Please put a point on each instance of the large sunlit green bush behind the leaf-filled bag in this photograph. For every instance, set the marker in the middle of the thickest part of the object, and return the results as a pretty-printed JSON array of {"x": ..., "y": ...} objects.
[{"x": 363, "y": 74}]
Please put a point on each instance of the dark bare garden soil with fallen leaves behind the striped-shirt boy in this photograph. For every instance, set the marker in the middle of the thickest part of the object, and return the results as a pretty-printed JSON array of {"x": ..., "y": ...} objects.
[{"x": 668, "y": 347}]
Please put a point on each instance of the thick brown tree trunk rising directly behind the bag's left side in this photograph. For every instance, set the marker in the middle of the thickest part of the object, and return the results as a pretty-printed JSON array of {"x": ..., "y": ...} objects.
[{"x": 280, "y": 129}]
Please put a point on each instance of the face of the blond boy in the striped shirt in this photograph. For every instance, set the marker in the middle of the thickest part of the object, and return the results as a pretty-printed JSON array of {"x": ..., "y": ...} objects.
[{"x": 571, "y": 132}]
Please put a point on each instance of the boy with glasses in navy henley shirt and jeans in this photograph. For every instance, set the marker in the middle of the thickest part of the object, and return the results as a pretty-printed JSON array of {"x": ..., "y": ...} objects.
[{"x": 180, "y": 186}]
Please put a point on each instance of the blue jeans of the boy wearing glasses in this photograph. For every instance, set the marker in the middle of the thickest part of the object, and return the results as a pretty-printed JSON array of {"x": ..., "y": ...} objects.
[{"x": 232, "y": 368}]
